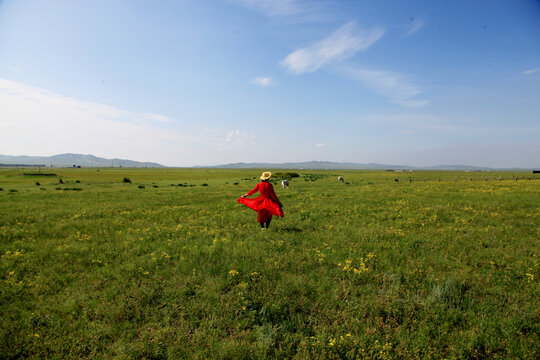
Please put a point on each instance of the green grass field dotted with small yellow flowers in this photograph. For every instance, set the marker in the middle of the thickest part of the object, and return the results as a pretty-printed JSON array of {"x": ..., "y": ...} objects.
[{"x": 164, "y": 263}]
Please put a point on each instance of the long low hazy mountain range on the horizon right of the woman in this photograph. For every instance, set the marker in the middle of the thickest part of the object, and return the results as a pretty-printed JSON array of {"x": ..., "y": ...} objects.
[{"x": 328, "y": 165}]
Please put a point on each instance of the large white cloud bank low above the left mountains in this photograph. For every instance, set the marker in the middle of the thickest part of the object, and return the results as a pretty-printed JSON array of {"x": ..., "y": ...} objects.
[{"x": 36, "y": 121}]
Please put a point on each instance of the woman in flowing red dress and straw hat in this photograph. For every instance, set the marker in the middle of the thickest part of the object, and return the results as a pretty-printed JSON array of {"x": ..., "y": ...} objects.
[{"x": 265, "y": 205}]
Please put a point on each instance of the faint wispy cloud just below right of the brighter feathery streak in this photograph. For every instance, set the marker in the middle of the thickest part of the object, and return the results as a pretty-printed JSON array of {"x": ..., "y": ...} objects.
[{"x": 396, "y": 88}]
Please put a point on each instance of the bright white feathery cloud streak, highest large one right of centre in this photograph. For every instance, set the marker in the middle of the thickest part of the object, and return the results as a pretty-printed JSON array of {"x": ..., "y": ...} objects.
[{"x": 343, "y": 43}]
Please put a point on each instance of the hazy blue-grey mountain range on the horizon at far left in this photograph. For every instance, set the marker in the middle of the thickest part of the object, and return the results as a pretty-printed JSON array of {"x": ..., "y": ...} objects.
[{"x": 70, "y": 160}]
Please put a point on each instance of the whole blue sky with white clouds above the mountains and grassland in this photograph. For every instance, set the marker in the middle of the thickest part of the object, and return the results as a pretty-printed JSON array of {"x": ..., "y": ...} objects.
[{"x": 209, "y": 82}]
